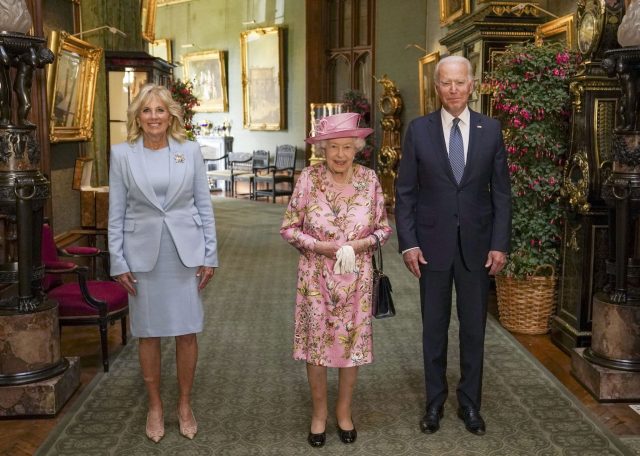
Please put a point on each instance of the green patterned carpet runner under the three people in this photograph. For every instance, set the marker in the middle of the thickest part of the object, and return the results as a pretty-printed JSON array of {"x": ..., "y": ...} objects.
[{"x": 251, "y": 398}]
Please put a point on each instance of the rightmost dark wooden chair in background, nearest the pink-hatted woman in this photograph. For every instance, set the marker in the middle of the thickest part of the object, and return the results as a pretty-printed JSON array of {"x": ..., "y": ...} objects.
[{"x": 277, "y": 178}]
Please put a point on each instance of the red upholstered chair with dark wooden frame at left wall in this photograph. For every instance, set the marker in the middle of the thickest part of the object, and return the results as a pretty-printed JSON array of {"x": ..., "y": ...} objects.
[{"x": 82, "y": 301}]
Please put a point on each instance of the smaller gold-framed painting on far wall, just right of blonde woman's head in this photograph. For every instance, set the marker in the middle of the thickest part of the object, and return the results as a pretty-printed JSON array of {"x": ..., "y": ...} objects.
[{"x": 207, "y": 71}]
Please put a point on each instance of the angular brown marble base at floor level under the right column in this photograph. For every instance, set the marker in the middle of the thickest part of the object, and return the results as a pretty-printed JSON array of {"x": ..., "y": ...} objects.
[{"x": 606, "y": 385}]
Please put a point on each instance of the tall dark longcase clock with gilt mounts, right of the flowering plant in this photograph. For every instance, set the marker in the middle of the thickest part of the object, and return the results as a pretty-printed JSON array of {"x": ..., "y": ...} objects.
[{"x": 585, "y": 244}]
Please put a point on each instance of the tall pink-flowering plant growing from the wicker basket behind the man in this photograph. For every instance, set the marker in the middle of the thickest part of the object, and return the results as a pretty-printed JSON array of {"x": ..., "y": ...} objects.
[{"x": 530, "y": 95}]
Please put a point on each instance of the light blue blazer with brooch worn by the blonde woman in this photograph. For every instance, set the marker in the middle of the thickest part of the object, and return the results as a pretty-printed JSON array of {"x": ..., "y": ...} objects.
[{"x": 136, "y": 216}]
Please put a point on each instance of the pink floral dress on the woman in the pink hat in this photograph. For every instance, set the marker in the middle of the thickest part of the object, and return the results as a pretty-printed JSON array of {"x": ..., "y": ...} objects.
[{"x": 333, "y": 311}]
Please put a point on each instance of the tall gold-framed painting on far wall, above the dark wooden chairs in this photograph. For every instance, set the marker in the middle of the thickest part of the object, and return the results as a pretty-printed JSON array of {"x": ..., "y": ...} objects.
[{"x": 263, "y": 79}]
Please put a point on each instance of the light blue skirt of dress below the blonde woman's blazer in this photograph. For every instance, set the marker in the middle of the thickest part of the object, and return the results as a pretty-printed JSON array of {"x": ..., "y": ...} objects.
[{"x": 167, "y": 301}]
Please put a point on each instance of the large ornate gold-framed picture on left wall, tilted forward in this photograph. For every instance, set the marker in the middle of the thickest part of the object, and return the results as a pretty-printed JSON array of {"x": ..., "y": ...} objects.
[{"x": 71, "y": 87}]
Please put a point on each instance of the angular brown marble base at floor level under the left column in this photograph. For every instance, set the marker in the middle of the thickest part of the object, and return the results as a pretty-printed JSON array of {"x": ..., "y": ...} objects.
[{"x": 46, "y": 397}]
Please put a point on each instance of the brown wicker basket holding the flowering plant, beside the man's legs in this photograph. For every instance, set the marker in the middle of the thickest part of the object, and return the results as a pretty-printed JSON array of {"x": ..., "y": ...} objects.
[{"x": 526, "y": 305}]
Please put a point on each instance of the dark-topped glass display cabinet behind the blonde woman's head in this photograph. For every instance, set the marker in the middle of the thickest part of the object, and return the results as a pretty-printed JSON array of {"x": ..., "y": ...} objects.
[{"x": 127, "y": 72}]
